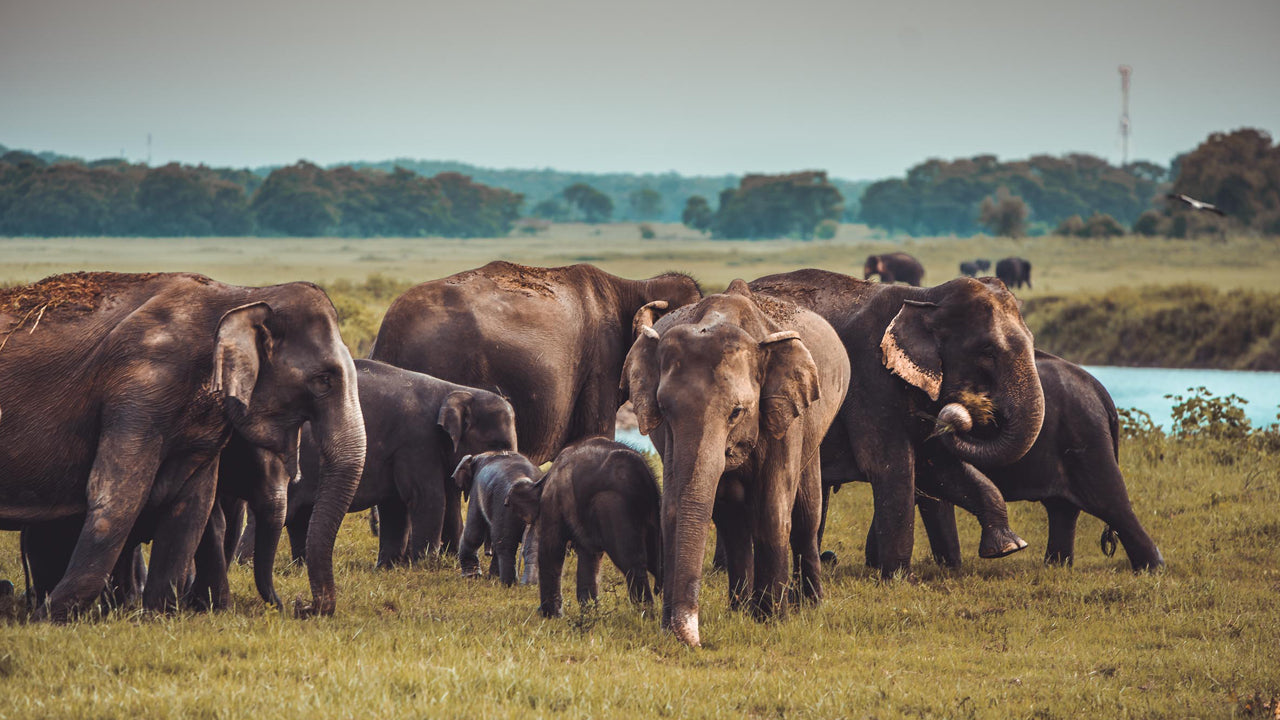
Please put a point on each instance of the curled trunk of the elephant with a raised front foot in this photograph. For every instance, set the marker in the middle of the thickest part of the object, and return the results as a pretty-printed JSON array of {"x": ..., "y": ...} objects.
[{"x": 1021, "y": 413}]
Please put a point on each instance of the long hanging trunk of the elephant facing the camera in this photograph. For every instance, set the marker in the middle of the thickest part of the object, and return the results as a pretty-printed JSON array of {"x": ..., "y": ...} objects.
[{"x": 687, "y": 512}]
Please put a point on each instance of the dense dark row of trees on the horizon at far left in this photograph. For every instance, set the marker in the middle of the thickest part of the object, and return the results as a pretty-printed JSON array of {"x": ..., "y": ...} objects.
[{"x": 115, "y": 198}]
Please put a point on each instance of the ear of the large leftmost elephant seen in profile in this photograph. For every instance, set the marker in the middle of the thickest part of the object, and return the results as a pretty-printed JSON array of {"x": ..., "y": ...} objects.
[{"x": 241, "y": 344}]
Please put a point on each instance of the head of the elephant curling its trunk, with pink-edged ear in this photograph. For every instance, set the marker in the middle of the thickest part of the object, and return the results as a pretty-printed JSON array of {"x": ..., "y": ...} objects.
[{"x": 968, "y": 339}]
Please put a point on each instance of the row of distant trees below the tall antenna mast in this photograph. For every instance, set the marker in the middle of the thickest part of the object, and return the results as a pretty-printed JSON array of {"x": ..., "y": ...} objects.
[{"x": 945, "y": 198}]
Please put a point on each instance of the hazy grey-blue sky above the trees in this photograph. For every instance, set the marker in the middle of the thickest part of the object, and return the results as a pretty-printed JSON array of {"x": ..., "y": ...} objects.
[{"x": 863, "y": 90}]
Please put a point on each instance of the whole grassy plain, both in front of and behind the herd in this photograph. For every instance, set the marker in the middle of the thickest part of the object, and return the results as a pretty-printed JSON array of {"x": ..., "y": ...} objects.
[{"x": 998, "y": 639}]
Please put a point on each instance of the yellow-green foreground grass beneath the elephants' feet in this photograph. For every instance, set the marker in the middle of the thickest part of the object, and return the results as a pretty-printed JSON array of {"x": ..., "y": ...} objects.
[{"x": 995, "y": 640}]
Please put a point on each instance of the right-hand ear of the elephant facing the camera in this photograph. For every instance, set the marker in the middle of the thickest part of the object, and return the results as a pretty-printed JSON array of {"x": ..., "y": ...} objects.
[{"x": 790, "y": 381}]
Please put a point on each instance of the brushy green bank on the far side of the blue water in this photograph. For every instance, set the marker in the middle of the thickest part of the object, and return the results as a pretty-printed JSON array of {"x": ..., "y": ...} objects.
[{"x": 1185, "y": 326}]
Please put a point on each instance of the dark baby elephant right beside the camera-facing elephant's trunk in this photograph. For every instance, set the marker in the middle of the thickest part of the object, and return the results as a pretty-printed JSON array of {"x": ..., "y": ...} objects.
[{"x": 601, "y": 496}]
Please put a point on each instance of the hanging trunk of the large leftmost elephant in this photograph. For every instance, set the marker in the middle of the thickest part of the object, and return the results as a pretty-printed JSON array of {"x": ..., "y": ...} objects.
[{"x": 340, "y": 434}]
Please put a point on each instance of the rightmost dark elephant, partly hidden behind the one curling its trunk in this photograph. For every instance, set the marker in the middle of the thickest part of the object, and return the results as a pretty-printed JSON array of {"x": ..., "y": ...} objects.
[{"x": 1075, "y": 466}]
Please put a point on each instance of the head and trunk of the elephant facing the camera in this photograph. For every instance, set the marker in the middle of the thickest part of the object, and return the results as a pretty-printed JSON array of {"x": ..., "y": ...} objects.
[{"x": 714, "y": 382}]
